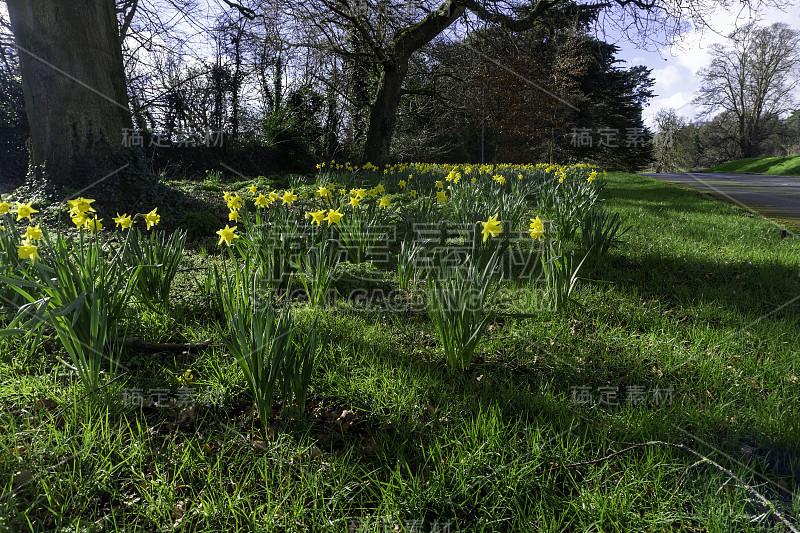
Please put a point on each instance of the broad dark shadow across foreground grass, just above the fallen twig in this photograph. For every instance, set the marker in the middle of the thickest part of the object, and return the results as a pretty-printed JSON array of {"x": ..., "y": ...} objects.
[{"x": 539, "y": 392}]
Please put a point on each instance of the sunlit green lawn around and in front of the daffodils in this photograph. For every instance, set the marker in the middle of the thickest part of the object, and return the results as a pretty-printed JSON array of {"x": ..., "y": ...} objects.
[{"x": 701, "y": 301}]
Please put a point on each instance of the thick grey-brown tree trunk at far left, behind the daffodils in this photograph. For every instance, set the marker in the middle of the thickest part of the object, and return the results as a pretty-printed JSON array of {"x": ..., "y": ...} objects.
[{"x": 74, "y": 85}]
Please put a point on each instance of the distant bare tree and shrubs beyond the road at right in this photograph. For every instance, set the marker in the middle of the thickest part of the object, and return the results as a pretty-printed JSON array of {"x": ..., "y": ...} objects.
[{"x": 749, "y": 101}]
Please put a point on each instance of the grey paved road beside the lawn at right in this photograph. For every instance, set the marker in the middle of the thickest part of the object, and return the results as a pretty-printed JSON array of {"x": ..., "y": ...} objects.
[{"x": 776, "y": 196}]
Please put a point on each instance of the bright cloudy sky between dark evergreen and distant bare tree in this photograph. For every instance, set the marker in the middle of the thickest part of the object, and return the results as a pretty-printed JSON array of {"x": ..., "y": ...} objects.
[{"x": 675, "y": 67}]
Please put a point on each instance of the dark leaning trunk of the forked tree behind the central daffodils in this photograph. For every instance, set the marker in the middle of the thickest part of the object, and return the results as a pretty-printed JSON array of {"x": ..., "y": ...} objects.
[{"x": 383, "y": 113}]
